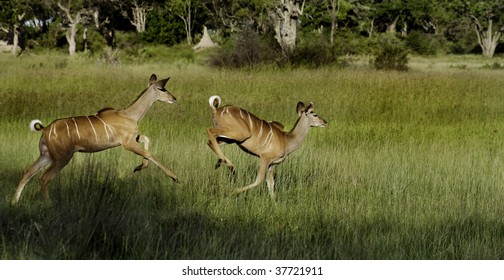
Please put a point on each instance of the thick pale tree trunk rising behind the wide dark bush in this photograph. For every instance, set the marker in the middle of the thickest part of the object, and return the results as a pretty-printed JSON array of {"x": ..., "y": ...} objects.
[{"x": 285, "y": 23}]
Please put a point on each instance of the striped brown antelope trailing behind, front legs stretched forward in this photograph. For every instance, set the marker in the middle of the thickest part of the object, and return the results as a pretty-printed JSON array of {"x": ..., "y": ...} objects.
[{"x": 107, "y": 129}]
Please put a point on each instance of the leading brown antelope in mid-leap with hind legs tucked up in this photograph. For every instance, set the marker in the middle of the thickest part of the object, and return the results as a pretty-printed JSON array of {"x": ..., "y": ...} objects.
[{"x": 264, "y": 139}]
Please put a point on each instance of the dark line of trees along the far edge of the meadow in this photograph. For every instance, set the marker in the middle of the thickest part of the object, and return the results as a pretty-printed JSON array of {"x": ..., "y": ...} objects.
[{"x": 314, "y": 30}]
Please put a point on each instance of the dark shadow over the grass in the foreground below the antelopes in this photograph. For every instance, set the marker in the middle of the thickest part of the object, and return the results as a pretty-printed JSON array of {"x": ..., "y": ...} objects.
[{"x": 103, "y": 217}]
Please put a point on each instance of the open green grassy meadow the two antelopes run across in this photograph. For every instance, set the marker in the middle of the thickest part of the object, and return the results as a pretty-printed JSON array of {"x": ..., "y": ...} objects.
[{"x": 410, "y": 166}]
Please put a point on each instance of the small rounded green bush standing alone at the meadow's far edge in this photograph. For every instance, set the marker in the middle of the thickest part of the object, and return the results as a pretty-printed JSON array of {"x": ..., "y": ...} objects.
[{"x": 390, "y": 54}]
